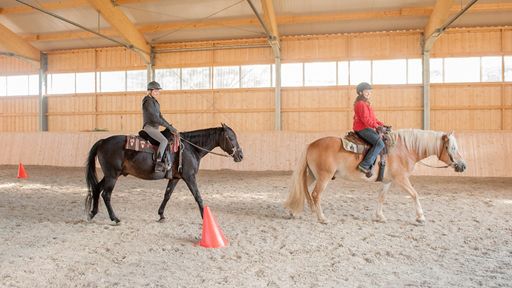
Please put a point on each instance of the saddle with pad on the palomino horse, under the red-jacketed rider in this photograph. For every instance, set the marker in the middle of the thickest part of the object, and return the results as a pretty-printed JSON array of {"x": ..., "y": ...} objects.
[{"x": 355, "y": 144}]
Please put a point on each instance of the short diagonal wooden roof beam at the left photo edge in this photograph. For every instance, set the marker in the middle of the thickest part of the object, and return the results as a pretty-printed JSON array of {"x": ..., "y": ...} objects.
[{"x": 13, "y": 43}]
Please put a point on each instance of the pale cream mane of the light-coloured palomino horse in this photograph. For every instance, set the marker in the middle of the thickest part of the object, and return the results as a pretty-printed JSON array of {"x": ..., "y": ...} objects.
[{"x": 423, "y": 142}]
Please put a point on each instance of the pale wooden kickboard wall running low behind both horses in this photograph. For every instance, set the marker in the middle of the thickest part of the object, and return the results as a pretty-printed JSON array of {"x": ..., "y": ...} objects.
[{"x": 482, "y": 151}]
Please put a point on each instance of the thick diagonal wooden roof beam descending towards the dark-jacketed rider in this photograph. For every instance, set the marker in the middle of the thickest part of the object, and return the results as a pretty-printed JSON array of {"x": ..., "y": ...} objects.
[{"x": 118, "y": 20}]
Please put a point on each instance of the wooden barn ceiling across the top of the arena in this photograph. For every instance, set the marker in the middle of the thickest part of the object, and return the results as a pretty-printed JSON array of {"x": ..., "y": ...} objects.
[{"x": 177, "y": 20}]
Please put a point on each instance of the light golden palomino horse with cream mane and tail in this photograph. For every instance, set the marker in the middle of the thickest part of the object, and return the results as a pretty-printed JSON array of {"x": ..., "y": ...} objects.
[{"x": 325, "y": 158}]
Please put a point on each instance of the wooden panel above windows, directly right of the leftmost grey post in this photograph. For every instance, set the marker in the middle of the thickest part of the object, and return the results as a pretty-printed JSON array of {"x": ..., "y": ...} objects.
[{"x": 82, "y": 60}]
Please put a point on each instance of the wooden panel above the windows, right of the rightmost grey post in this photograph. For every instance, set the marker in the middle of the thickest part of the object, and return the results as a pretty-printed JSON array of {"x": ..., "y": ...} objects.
[{"x": 468, "y": 42}]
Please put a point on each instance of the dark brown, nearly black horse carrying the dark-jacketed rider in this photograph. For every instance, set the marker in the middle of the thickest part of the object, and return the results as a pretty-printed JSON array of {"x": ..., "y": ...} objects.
[{"x": 115, "y": 161}]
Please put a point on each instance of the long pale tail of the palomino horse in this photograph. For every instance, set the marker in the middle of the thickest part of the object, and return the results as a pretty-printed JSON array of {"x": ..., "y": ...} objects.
[{"x": 299, "y": 187}]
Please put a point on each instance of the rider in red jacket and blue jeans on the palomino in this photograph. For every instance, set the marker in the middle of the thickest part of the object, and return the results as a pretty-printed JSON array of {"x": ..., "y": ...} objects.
[{"x": 365, "y": 125}]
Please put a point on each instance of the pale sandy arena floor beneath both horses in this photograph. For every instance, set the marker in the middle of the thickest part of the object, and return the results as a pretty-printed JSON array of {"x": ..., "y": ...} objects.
[{"x": 46, "y": 242}]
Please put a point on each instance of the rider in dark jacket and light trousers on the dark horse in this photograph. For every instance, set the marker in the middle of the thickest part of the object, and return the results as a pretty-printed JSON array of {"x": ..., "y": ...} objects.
[{"x": 153, "y": 119}]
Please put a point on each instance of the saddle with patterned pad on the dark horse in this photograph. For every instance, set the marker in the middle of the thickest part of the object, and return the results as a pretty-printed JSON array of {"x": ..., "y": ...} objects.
[{"x": 145, "y": 143}]
